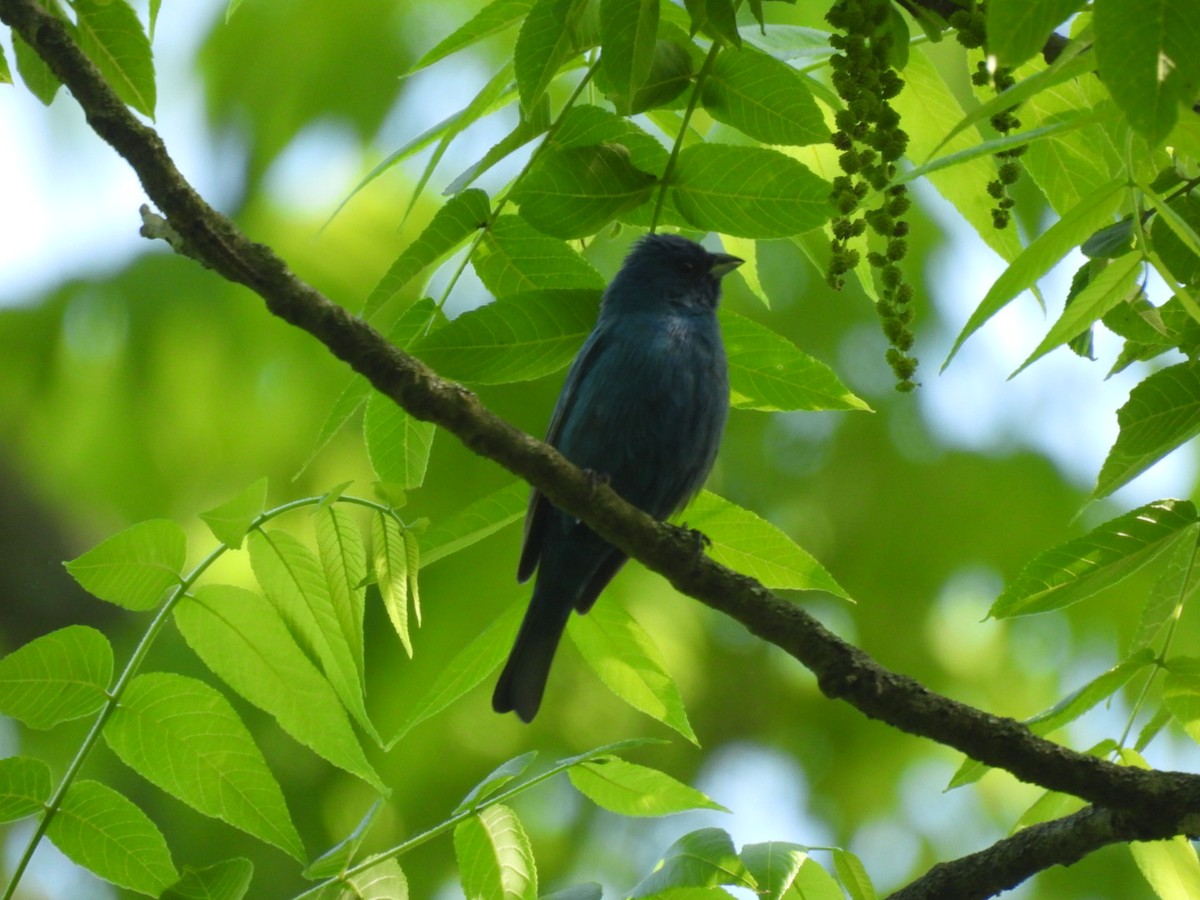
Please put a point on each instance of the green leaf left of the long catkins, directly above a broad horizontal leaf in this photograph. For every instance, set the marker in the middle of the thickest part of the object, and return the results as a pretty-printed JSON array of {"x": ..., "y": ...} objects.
[{"x": 764, "y": 98}]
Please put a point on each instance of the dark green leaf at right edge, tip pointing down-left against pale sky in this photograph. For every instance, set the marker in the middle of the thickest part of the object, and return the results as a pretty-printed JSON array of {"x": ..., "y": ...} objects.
[{"x": 1162, "y": 413}]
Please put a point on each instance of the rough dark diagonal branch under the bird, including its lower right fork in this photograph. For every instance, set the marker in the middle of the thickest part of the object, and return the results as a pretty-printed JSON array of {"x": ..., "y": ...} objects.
[{"x": 1153, "y": 805}]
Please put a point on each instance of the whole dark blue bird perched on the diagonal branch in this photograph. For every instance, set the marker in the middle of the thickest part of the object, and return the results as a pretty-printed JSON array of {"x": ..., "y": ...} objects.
[{"x": 644, "y": 407}]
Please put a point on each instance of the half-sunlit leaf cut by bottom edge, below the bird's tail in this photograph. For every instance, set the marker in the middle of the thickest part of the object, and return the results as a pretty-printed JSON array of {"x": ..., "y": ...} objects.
[{"x": 495, "y": 857}]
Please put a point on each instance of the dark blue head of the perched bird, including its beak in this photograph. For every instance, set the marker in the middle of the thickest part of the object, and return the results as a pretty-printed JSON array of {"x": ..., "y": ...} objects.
[{"x": 665, "y": 271}]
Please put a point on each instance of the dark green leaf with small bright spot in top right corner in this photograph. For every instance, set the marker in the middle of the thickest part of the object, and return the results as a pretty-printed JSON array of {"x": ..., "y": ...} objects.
[{"x": 1145, "y": 51}]
